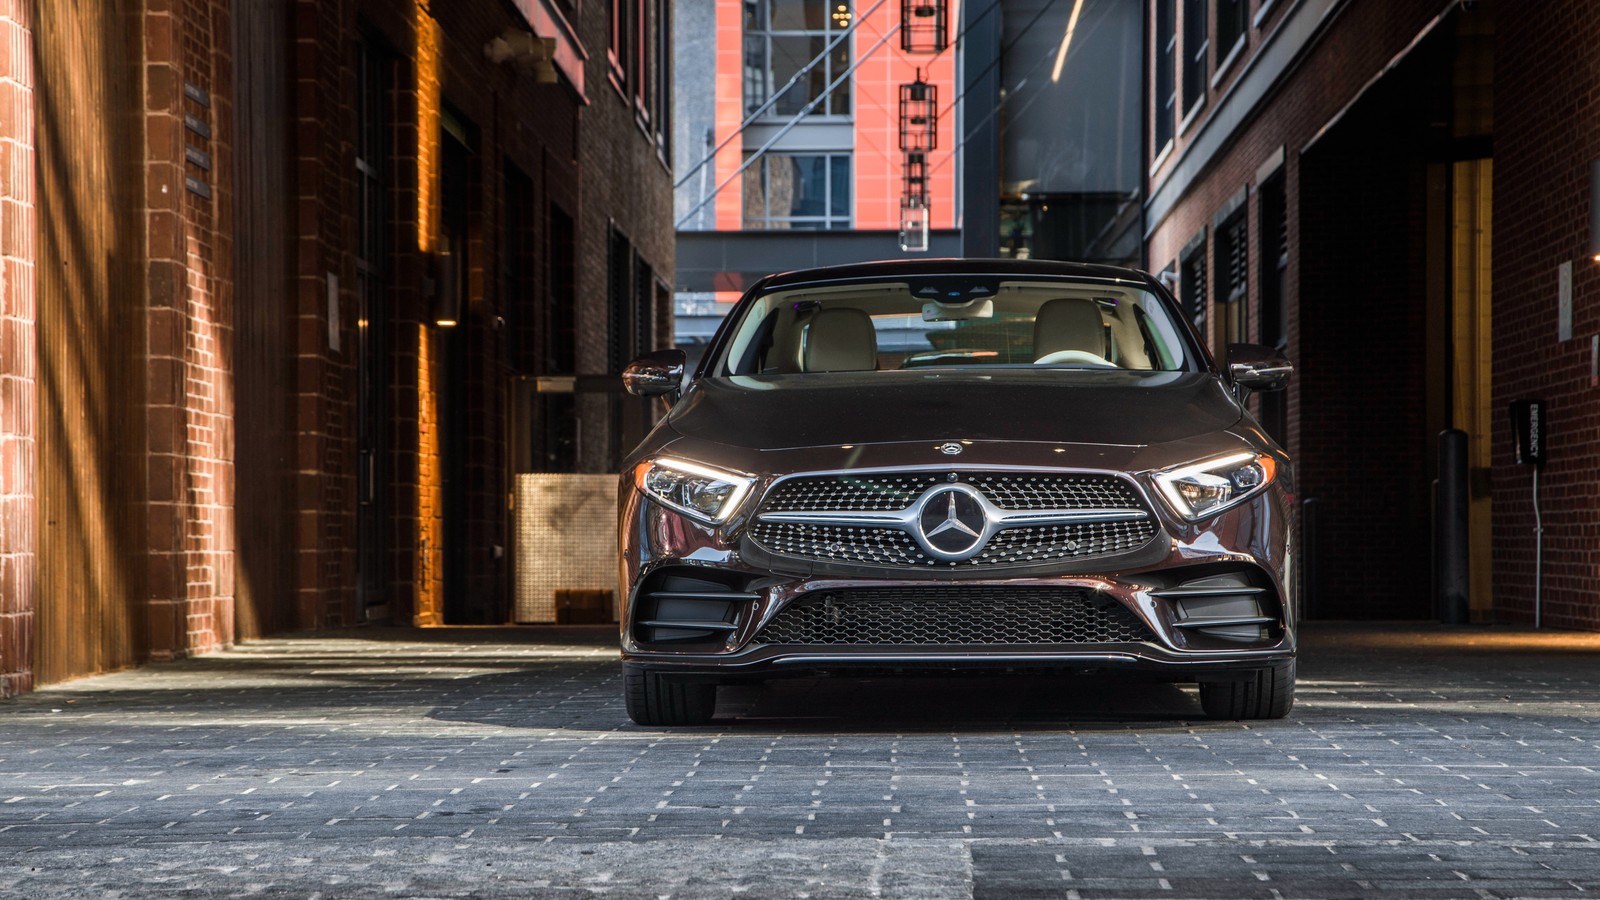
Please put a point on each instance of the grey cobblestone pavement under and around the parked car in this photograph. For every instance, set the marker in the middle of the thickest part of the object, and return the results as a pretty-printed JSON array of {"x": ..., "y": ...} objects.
[{"x": 1418, "y": 761}]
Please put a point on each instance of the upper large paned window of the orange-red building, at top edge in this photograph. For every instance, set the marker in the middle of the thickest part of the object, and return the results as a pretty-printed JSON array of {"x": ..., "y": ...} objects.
[{"x": 782, "y": 38}]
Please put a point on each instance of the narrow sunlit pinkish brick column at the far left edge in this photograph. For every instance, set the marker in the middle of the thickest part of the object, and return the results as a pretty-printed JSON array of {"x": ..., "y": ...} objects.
[{"x": 18, "y": 504}]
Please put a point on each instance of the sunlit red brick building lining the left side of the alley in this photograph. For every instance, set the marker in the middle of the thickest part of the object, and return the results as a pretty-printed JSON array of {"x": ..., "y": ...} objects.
[{"x": 273, "y": 278}]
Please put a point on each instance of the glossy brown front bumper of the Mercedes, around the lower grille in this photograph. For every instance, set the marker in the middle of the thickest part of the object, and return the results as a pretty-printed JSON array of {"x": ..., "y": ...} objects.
[{"x": 1249, "y": 544}]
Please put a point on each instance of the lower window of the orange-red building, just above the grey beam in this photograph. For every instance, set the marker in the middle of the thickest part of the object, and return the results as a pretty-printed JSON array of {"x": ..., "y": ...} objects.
[{"x": 798, "y": 191}]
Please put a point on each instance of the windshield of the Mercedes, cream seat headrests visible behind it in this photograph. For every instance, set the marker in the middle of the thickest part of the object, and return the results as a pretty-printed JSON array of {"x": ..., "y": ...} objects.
[{"x": 954, "y": 323}]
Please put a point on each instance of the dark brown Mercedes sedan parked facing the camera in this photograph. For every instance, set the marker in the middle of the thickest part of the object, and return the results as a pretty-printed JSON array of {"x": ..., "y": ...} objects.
[{"x": 977, "y": 465}]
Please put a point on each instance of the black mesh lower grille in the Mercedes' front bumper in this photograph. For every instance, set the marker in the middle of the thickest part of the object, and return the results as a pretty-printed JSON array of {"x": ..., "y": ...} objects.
[{"x": 978, "y": 616}]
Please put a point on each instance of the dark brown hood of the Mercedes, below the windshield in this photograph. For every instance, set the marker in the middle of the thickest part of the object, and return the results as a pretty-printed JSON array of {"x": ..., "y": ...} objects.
[{"x": 786, "y": 412}]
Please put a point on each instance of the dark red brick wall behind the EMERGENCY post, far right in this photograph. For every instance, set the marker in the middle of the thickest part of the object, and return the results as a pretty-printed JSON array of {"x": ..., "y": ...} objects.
[{"x": 1546, "y": 132}]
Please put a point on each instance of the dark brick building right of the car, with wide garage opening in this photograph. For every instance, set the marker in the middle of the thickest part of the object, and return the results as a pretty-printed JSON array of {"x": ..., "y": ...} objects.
[{"x": 1391, "y": 191}]
